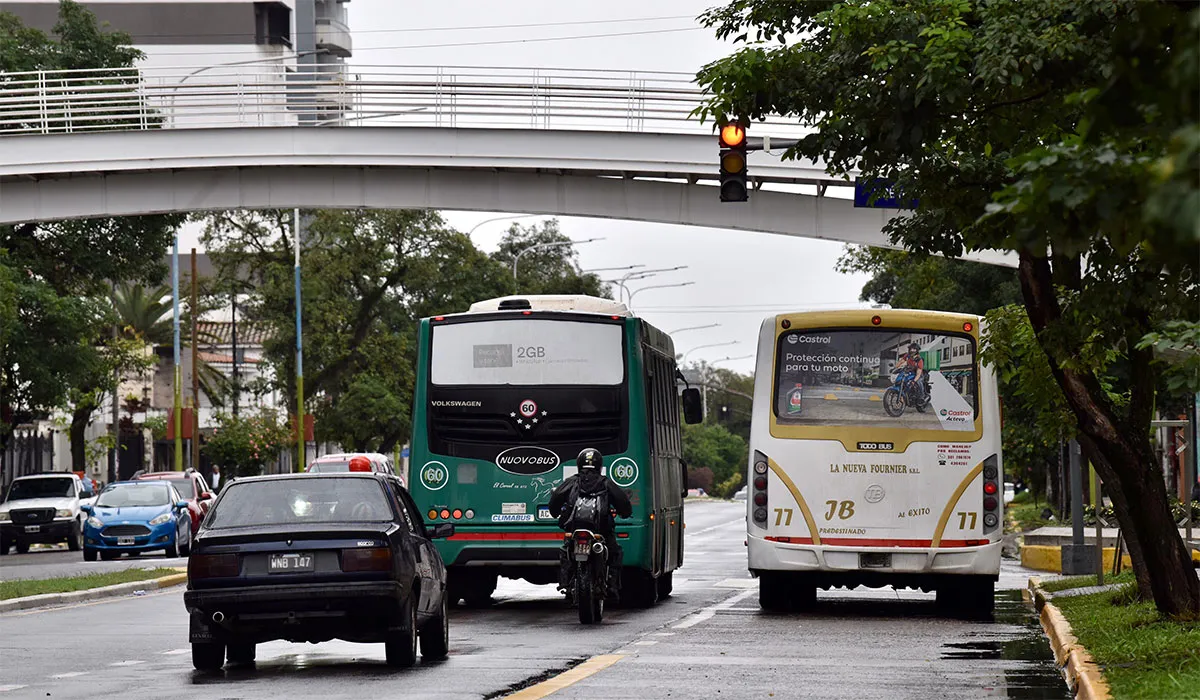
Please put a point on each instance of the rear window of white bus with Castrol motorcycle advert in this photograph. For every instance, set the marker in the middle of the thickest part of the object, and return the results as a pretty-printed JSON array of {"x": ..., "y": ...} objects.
[{"x": 877, "y": 378}]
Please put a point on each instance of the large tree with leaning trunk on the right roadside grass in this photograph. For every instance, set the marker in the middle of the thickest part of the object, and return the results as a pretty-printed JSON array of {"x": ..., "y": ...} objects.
[{"x": 1061, "y": 130}]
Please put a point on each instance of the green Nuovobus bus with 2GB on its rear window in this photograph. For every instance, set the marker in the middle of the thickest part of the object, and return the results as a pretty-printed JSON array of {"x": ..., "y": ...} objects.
[{"x": 507, "y": 396}]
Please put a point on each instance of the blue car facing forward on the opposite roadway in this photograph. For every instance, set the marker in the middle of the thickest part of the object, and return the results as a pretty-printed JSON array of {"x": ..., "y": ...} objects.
[{"x": 137, "y": 517}]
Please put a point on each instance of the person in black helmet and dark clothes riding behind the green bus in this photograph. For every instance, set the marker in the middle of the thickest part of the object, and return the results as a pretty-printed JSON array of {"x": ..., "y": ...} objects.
[{"x": 591, "y": 482}]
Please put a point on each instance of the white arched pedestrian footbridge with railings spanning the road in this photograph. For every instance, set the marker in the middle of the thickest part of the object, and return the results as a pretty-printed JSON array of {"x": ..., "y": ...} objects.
[{"x": 604, "y": 145}]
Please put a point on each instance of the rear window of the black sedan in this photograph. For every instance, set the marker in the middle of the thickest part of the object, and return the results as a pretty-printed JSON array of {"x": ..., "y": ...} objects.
[{"x": 302, "y": 501}]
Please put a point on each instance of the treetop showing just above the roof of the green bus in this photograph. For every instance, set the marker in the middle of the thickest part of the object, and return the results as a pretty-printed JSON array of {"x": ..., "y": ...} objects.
[{"x": 550, "y": 270}]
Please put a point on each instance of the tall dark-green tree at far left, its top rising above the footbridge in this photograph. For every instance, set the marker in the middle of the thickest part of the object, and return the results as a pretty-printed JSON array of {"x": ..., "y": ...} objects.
[{"x": 58, "y": 274}]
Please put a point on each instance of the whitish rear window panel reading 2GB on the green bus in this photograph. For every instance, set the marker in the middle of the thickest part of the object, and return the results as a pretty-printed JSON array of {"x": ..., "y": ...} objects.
[{"x": 527, "y": 352}]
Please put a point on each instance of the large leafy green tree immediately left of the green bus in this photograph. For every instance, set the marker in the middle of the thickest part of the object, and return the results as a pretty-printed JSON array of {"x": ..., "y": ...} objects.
[{"x": 368, "y": 278}]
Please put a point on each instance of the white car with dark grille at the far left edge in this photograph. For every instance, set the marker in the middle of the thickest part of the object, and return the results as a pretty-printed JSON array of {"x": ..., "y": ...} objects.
[{"x": 44, "y": 508}]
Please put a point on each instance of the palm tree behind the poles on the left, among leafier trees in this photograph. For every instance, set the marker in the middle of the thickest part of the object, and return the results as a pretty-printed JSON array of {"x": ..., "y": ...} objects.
[{"x": 148, "y": 315}]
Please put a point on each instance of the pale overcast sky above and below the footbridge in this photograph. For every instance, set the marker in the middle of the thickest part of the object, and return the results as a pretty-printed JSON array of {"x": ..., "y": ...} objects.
[{"x": 739, "y": 278}]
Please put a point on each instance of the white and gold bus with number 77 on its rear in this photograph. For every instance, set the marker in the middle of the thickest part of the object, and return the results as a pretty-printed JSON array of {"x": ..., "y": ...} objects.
[{"x": 862, "y": 475}]
